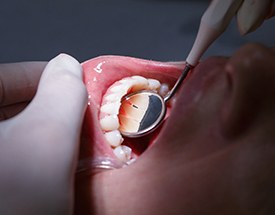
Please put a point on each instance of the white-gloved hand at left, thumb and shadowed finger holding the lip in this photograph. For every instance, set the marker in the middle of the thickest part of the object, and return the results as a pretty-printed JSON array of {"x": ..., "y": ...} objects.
[{"x": 39, "y": 146}]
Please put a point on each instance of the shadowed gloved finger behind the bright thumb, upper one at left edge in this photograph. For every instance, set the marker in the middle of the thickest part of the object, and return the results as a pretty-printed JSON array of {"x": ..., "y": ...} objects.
[{"x": 18, "y": 81}]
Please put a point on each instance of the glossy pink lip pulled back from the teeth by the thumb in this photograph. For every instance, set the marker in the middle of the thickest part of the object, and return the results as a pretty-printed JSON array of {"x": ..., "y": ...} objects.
[{"x": 99, "y": 74}]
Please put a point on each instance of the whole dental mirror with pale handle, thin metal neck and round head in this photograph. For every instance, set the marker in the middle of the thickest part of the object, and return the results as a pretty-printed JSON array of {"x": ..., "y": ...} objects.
[{"x": 143, "y": 111}]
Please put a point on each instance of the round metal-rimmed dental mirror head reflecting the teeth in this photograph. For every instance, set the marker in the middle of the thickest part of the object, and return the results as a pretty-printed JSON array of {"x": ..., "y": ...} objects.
[{"x": 140, "y": 113}]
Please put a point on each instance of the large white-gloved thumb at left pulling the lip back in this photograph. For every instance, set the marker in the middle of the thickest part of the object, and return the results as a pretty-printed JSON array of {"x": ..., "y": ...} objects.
[{"x": 40, "y": 145}]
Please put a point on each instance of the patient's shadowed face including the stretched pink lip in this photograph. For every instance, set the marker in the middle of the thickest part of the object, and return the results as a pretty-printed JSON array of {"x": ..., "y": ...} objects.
[{"x": 214, "y": 154}]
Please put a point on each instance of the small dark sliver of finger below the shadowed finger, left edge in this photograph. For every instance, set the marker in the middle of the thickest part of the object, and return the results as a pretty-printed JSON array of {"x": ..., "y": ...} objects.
[{"x": 9, "y": 111}]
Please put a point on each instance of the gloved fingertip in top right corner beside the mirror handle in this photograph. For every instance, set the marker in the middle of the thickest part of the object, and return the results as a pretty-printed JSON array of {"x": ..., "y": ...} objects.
[{"x": 251, "y": 15}]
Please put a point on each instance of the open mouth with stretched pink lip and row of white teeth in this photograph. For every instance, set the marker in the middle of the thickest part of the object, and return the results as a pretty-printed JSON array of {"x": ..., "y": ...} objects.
[{"x": 108, "y": 79}]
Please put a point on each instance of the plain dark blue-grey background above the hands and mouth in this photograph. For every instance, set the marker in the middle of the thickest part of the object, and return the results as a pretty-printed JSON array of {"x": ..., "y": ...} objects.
[{"x": 153, "y": 29}]
